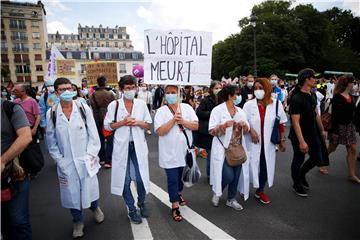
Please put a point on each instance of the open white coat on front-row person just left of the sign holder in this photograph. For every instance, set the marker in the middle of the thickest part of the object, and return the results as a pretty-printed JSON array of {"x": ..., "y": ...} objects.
[{"x": 121, "y": 144}]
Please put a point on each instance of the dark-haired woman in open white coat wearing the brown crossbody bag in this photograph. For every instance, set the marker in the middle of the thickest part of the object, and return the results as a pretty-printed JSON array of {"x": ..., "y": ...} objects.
[{"x": 223, "y": 119}]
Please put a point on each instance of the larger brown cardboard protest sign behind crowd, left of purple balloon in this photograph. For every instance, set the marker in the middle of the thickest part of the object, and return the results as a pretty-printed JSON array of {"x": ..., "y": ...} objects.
[{"x": 96, "y": 69}]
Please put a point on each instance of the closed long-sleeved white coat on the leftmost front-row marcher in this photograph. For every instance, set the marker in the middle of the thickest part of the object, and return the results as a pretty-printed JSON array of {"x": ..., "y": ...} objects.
[{"x": 70, "y": 144}]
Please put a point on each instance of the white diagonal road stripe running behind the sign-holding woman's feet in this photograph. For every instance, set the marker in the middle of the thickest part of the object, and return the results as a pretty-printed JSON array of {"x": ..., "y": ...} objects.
[{"x": 201, "y": 223}]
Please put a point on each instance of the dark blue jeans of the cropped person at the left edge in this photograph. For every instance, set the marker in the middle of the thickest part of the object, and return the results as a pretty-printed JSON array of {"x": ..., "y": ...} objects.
[{"x": 15, "y": 222}]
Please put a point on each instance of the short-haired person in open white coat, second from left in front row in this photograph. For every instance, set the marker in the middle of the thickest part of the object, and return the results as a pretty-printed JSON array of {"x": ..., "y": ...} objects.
[{"x": 129, "y": 118}]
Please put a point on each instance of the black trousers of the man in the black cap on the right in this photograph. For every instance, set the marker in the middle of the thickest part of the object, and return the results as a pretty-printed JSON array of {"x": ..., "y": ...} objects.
[{"x": 298, "y": 168}]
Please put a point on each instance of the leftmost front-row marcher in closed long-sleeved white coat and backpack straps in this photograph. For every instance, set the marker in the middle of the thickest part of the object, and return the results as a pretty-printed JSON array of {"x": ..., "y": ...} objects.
[{"x": 73, "y": 143}]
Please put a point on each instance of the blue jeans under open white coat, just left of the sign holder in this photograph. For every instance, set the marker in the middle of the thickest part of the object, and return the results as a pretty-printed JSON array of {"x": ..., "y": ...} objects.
[{"x": 128, "y": 197}]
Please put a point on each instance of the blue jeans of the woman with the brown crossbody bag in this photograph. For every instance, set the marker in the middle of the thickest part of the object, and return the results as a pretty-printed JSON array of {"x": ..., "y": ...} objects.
[{"x": 230, "y": 178}]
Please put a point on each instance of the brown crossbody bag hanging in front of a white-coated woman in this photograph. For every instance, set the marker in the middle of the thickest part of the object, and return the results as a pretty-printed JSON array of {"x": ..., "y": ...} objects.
[{"x": 235, "y": 154}]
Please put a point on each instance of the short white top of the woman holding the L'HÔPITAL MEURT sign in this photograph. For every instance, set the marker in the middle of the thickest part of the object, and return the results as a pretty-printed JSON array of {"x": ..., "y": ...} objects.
[{"x": 173, "y": 146}]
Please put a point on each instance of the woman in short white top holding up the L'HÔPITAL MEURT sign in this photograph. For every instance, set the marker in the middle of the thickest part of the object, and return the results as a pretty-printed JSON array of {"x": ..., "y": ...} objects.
[{"x": 169, "y": 123}]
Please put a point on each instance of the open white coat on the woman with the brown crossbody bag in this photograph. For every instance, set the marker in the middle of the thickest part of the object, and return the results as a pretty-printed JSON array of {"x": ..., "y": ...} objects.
[{"x": 220, "y": 115}]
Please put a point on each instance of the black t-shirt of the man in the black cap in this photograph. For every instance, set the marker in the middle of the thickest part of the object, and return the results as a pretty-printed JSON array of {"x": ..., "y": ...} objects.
[{"x": 305, "y": 105}]
